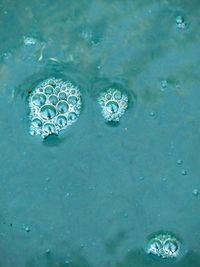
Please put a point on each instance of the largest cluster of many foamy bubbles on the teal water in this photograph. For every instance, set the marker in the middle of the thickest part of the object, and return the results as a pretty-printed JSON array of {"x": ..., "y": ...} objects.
[{"x": 54, "y": 105}]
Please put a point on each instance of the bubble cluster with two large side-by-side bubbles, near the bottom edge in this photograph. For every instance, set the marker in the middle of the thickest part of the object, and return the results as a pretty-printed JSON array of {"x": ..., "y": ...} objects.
[{"x": 164, "y": 246}]
